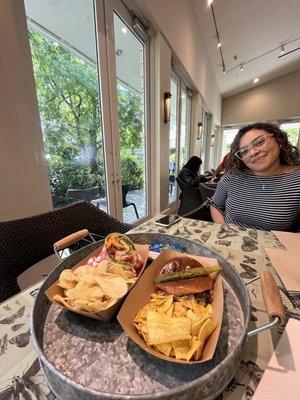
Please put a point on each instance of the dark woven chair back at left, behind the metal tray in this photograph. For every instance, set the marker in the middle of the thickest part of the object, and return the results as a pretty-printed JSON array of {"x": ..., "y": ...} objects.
[{"x": 27, "y": 241}]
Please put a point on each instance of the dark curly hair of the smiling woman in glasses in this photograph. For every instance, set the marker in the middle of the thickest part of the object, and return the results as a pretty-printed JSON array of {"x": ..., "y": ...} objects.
[{"x": 288, "y": 155}]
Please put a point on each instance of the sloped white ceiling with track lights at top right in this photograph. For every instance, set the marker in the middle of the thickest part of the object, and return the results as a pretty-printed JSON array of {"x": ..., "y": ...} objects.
[{"x": 251, "y": 30}]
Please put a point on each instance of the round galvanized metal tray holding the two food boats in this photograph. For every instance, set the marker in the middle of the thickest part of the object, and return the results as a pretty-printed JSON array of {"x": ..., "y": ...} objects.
[{"x": 88, "y": 359}]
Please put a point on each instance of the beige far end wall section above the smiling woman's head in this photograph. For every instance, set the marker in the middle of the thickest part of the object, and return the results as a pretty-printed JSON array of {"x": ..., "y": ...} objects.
[{"x": 274, "y": 100}]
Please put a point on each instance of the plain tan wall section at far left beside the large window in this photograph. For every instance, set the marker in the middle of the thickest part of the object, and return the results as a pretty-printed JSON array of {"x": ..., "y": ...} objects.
[{"x": 24, "y": 184}]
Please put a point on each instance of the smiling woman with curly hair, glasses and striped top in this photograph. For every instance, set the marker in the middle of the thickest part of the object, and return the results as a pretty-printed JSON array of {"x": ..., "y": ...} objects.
[{"x": 261, "y": 187}]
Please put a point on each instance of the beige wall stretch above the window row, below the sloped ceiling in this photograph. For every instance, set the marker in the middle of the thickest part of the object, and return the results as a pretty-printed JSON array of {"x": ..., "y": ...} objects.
[{"x": 177, "y": 21}]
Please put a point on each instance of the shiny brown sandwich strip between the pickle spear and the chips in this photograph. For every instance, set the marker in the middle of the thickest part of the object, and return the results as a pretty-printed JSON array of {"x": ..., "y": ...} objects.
[{"x": 187, "y": 286}]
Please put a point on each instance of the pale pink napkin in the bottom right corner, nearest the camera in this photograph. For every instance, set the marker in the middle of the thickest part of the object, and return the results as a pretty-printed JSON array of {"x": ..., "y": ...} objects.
[{"x": 281, "y": 379}]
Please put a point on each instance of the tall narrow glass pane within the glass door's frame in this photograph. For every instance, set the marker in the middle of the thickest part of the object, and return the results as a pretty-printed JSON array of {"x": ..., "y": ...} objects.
[{"x": 130, "y": 55}]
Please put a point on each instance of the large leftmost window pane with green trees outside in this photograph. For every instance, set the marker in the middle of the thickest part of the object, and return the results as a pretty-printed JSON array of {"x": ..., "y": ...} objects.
[{"x": 64, "y": 55}]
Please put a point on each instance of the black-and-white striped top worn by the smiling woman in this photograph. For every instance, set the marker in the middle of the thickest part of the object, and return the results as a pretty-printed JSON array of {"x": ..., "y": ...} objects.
[{"x": 264, "y": 202}]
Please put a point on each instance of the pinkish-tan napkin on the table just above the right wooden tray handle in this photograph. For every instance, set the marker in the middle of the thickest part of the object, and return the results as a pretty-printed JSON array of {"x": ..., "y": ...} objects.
[{"x": 287, "y": 265}]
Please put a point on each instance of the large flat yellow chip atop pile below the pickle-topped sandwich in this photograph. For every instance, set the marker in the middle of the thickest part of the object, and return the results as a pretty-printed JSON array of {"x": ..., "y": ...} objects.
[{"x": 164, "y": 329}]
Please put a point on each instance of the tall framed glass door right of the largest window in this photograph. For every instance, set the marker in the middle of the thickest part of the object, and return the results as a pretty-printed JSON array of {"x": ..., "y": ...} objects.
[{"x": 128, "y": 59}]
